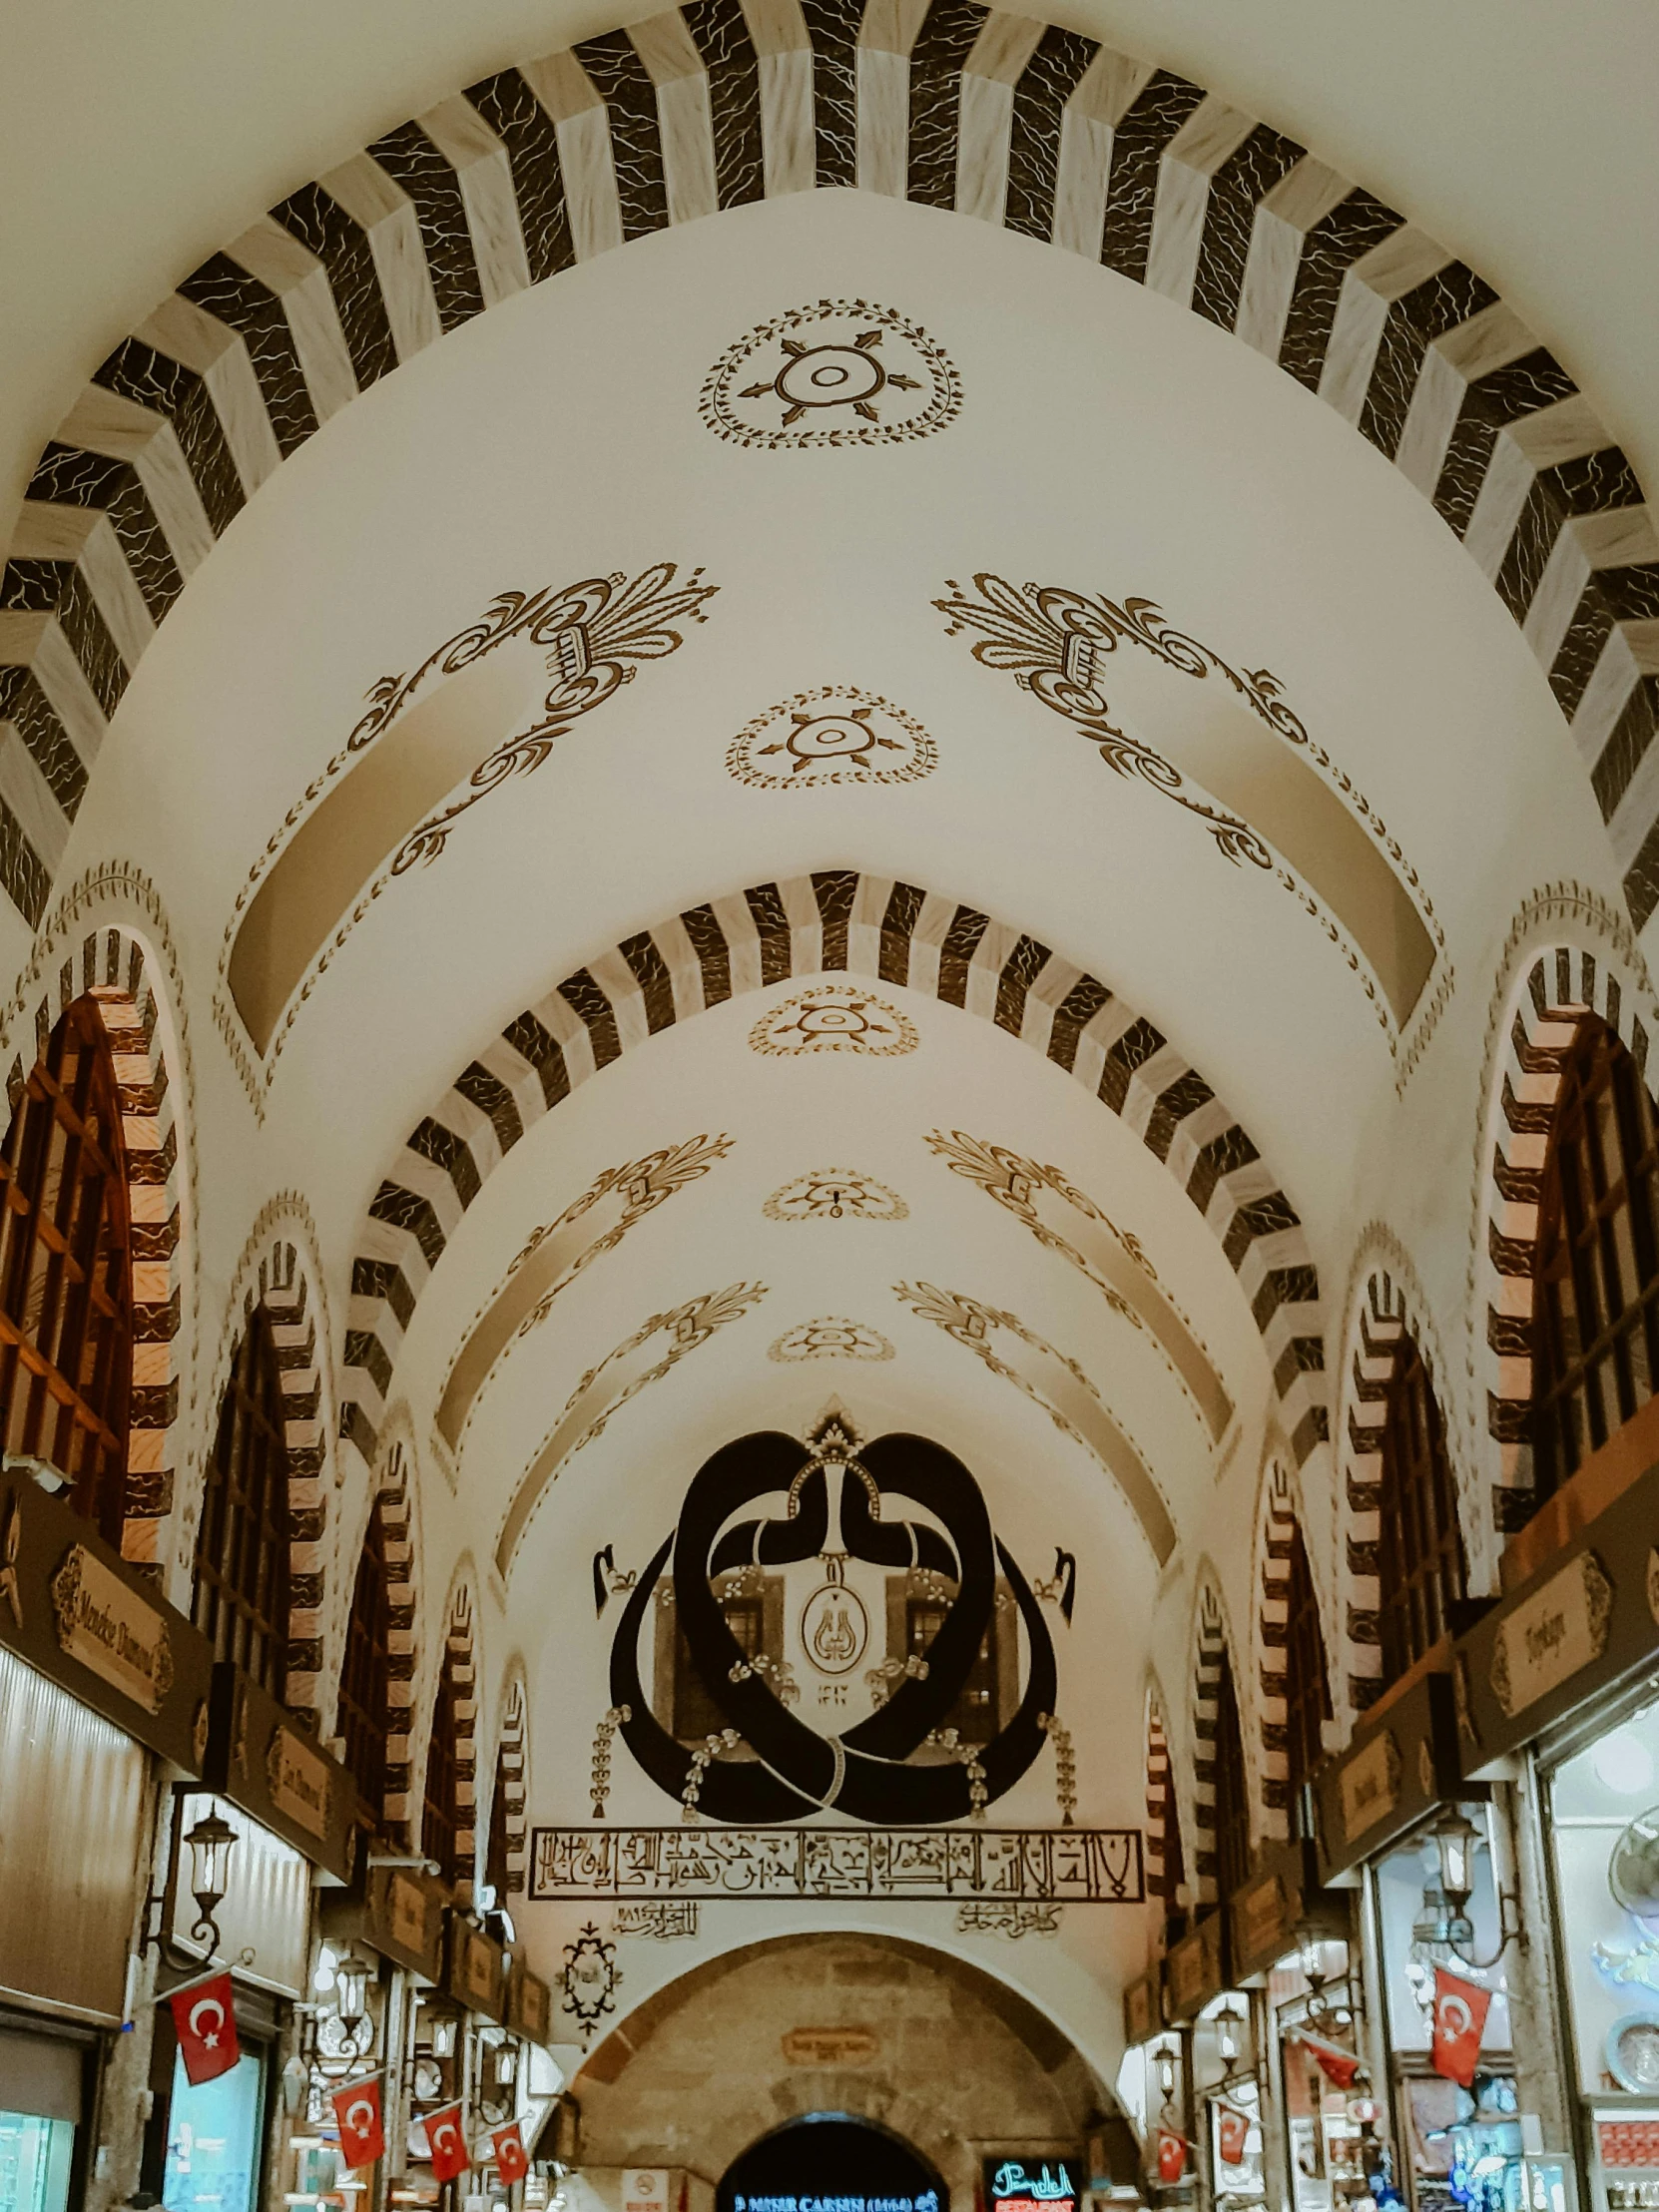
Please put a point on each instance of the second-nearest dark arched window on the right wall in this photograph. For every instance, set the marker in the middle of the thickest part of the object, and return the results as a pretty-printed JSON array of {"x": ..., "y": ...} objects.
[{"x": 1421, "y": 1567}]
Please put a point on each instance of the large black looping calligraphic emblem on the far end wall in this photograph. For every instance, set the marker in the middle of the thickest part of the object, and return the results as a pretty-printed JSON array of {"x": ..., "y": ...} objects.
[{"x": 766, "y": 1516}]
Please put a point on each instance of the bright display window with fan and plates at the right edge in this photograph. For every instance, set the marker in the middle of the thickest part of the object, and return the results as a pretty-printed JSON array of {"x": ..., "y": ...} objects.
[{"x": 1607, "y": 1868}]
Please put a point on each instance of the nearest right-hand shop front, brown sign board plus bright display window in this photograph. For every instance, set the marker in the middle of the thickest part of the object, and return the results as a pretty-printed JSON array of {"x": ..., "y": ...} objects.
[{"x": 1558, "y": 1689}]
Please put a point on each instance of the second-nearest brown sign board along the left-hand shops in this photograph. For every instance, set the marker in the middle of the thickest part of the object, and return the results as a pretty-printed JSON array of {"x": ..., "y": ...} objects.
[{"x": 275, "y": 1773}]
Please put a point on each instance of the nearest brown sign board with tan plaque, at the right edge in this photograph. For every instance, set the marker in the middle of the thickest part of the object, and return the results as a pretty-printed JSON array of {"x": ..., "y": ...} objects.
[{"x": 1574, "y": 1629}]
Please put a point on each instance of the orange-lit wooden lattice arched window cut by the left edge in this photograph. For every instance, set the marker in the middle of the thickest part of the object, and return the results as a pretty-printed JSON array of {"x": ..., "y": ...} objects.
[{"x": 67, "y": 1271}]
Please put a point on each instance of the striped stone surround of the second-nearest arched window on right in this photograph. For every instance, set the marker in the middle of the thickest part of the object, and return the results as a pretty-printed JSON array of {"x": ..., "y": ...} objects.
[{"x": 1386, "y": 1308}]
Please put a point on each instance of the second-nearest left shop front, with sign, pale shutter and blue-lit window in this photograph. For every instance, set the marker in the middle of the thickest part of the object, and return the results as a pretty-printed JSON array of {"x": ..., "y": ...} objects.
[{"x": 289, "y": 1819}]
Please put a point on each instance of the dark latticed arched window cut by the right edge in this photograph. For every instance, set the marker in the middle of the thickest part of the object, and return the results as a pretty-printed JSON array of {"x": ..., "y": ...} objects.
[{"x": 1596, "y": 1266}]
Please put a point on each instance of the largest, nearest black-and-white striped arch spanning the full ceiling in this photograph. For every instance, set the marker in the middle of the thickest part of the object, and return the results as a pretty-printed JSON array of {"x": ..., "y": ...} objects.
[{"x": 716, "y": 105}]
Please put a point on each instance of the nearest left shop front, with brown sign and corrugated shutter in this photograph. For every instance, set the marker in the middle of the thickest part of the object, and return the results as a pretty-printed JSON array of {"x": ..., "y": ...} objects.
[{"x": 96, "y": 1676}]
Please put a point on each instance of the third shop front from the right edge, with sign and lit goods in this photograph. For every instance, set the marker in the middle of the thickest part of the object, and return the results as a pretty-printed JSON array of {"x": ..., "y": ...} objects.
[{"x": 1302, "y": 2127}]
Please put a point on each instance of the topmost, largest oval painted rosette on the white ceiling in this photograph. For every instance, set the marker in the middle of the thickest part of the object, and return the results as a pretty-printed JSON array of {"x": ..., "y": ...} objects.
[{"x": 833, "y": 373}]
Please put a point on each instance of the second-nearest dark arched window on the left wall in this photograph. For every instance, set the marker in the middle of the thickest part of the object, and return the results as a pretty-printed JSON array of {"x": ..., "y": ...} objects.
[{"x": 242, "y": 1547}]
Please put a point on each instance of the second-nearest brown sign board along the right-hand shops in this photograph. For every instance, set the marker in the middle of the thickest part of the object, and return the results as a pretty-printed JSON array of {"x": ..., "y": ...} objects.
[{"x": 1401, "y": 1764}]
